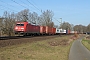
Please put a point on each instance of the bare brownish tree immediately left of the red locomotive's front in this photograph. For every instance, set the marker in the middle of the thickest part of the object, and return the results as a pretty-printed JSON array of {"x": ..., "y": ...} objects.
[{"x": 8, "y": 23}]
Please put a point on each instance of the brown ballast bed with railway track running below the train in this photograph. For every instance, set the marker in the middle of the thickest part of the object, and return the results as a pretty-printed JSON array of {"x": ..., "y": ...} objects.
[{"x": 14, "y": 40}]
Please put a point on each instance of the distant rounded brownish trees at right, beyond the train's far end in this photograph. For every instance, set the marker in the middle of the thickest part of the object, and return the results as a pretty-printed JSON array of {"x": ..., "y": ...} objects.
[{"x": 79, "y": 28}]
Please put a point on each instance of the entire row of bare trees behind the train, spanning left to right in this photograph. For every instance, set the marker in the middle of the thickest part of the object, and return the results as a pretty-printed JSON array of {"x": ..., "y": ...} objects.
[{"x": 8, "y": 20}]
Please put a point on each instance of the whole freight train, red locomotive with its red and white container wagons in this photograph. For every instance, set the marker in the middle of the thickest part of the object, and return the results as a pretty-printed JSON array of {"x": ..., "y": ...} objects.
[{"x": 25, "y": 28}]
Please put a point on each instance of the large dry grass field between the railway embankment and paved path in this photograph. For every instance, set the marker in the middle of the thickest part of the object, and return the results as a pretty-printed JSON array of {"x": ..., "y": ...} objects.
[{"x": 40, "y": 50}]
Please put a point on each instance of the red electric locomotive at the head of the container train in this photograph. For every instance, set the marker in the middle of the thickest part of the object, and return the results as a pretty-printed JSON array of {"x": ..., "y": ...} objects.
[{"x": 26, "y": 28}]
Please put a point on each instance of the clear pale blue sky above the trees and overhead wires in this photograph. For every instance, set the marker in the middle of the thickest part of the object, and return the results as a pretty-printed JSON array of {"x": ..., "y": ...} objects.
[{"x": 72, "y": 11}]
